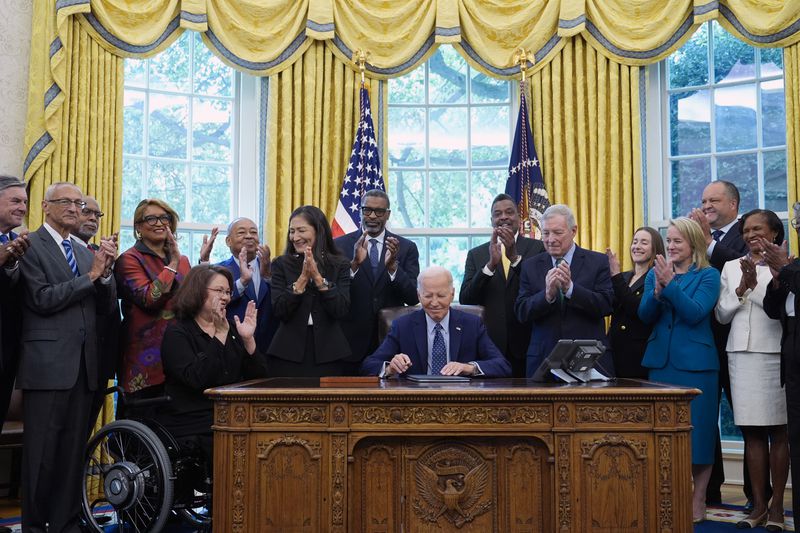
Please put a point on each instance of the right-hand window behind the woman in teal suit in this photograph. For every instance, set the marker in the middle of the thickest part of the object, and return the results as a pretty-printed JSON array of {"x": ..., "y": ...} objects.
[{"x": 726, "y": 120}]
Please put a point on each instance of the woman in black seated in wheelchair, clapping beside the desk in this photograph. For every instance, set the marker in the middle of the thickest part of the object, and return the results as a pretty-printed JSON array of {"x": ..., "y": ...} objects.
[{"x": 149, "y": 470}]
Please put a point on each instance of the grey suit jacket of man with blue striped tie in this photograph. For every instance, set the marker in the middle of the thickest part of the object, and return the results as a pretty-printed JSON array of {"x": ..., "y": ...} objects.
[{"x": 59, "y": 315}]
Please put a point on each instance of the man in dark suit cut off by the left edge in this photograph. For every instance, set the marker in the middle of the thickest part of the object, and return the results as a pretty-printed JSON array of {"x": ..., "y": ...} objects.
[{"x": 13, "y": 207}]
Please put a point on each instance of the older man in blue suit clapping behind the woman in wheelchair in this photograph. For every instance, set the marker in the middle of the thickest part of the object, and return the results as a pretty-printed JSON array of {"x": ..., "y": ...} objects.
[{"x": 252, "y": 271}]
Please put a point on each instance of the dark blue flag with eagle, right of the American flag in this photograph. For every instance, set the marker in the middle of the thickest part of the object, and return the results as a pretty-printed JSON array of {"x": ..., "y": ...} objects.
[{"x": 525, "y": 183}]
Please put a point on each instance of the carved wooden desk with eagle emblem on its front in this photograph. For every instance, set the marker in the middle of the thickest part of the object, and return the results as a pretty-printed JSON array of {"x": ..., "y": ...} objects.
[{"x": 492, "y": 455}]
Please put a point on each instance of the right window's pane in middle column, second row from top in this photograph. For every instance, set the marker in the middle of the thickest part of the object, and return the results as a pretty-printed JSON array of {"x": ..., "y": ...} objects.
[{"x": 735, "y": 111}]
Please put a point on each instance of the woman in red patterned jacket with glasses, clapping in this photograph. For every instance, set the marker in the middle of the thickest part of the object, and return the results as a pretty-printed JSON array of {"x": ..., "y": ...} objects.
[{"x": 148, "y": 274}]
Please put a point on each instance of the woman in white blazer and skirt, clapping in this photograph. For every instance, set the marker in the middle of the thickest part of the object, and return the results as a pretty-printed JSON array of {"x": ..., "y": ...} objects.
[{"x": 759, "y": 403}]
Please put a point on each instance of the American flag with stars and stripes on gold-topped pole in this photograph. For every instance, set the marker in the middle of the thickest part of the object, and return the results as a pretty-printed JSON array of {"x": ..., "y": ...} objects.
[{"x": 363, "y": 173}]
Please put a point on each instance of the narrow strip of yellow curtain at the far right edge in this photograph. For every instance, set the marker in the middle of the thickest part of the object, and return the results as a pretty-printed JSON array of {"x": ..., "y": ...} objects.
[{"x": 791, "y": 75}]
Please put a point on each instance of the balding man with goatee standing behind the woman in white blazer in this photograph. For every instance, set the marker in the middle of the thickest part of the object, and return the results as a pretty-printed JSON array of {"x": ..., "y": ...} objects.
[{"x": 719, "y": 219}]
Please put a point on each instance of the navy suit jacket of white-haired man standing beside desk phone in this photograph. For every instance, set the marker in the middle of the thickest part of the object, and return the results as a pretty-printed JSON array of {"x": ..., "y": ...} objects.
[{"x": 582, "y": 316}]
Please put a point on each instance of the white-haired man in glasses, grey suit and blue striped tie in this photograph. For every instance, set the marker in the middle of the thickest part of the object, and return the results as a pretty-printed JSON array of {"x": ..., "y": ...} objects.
[{"x": 65, "y": 288}]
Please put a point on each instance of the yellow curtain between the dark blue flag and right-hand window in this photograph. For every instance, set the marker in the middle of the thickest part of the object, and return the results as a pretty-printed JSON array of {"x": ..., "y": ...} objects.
[{"x": 585, "y": 114}]
